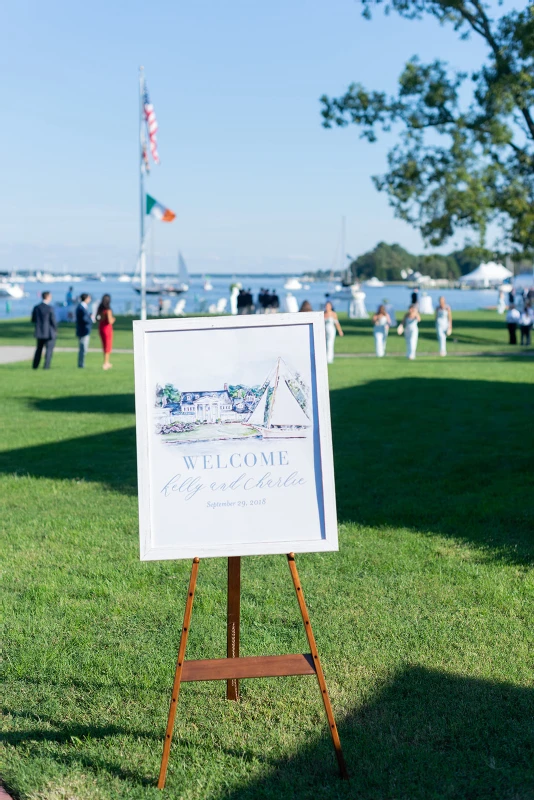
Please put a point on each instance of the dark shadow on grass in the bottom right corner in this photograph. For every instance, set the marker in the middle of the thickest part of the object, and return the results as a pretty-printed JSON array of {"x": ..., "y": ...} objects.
[{"x": 425, "y": 735}]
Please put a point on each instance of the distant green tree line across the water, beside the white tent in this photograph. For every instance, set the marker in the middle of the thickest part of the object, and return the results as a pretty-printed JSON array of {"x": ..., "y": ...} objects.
[{"x": 388, "y": 261}]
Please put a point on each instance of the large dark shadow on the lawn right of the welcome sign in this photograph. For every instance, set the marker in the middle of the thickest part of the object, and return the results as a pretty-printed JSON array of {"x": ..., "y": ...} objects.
[{"x": 438, "y": 455}]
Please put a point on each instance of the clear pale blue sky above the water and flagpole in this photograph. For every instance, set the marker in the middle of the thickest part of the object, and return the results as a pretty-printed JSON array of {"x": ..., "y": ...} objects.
[{"x": 256, "y": 182}]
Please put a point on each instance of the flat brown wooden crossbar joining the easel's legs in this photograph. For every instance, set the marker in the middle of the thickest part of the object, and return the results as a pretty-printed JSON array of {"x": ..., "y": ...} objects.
[{"x": 213, "y": 669}]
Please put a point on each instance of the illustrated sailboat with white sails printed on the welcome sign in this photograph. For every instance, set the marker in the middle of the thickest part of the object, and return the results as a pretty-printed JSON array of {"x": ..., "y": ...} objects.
[{"x": 278, "y": 414}]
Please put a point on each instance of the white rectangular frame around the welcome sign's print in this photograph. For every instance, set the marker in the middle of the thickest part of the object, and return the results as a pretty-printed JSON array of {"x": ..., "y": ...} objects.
[{"x": 323, "y": 458}]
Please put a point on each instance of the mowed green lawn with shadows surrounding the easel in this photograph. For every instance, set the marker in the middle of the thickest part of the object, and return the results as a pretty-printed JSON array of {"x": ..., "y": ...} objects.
[{"x": 424, "y": 619}]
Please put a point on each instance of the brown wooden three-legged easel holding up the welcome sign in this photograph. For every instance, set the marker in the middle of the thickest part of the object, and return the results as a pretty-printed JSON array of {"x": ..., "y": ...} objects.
[{"x": 232, "y": 668}]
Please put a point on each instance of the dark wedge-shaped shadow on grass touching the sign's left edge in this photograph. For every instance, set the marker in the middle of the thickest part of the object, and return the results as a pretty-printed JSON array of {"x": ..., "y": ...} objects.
[{"x": 106, "y": 458}]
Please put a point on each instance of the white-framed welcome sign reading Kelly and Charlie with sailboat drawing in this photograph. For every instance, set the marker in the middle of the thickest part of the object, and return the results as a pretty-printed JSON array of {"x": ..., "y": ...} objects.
[{"x": 233, "y": 436}]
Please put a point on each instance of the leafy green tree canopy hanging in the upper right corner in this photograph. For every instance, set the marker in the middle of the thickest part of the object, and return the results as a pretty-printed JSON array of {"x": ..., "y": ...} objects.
[{"x": 458, "y": 165}]
